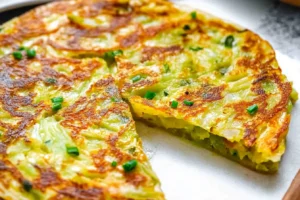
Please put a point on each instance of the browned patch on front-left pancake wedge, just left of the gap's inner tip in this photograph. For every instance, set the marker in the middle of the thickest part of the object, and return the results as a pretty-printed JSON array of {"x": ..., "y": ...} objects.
[{"x": 86, "y": 112}]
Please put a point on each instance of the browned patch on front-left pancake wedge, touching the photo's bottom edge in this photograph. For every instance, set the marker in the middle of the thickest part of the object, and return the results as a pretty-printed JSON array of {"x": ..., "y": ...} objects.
[{"x": 80, "y": 192}]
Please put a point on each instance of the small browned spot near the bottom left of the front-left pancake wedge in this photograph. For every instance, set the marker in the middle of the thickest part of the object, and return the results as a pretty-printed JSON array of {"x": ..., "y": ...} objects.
[{"x": 48, "y": 177}]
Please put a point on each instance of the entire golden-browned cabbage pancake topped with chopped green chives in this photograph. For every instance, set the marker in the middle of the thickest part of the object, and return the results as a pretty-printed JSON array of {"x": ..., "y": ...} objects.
[{"x": 195, "y": 75}]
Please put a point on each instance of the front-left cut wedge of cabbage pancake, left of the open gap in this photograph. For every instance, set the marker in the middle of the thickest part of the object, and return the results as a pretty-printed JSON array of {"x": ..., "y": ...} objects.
[{"x": 67, "y": 134}]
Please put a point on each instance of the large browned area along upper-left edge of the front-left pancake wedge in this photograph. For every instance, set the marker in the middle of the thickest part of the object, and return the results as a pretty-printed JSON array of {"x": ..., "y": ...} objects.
[{"x": 15, "y": 76}]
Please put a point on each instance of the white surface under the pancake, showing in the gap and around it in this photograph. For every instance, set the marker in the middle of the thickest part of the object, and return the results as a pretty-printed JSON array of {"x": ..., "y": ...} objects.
[{"x": 189, "y": 172}]
